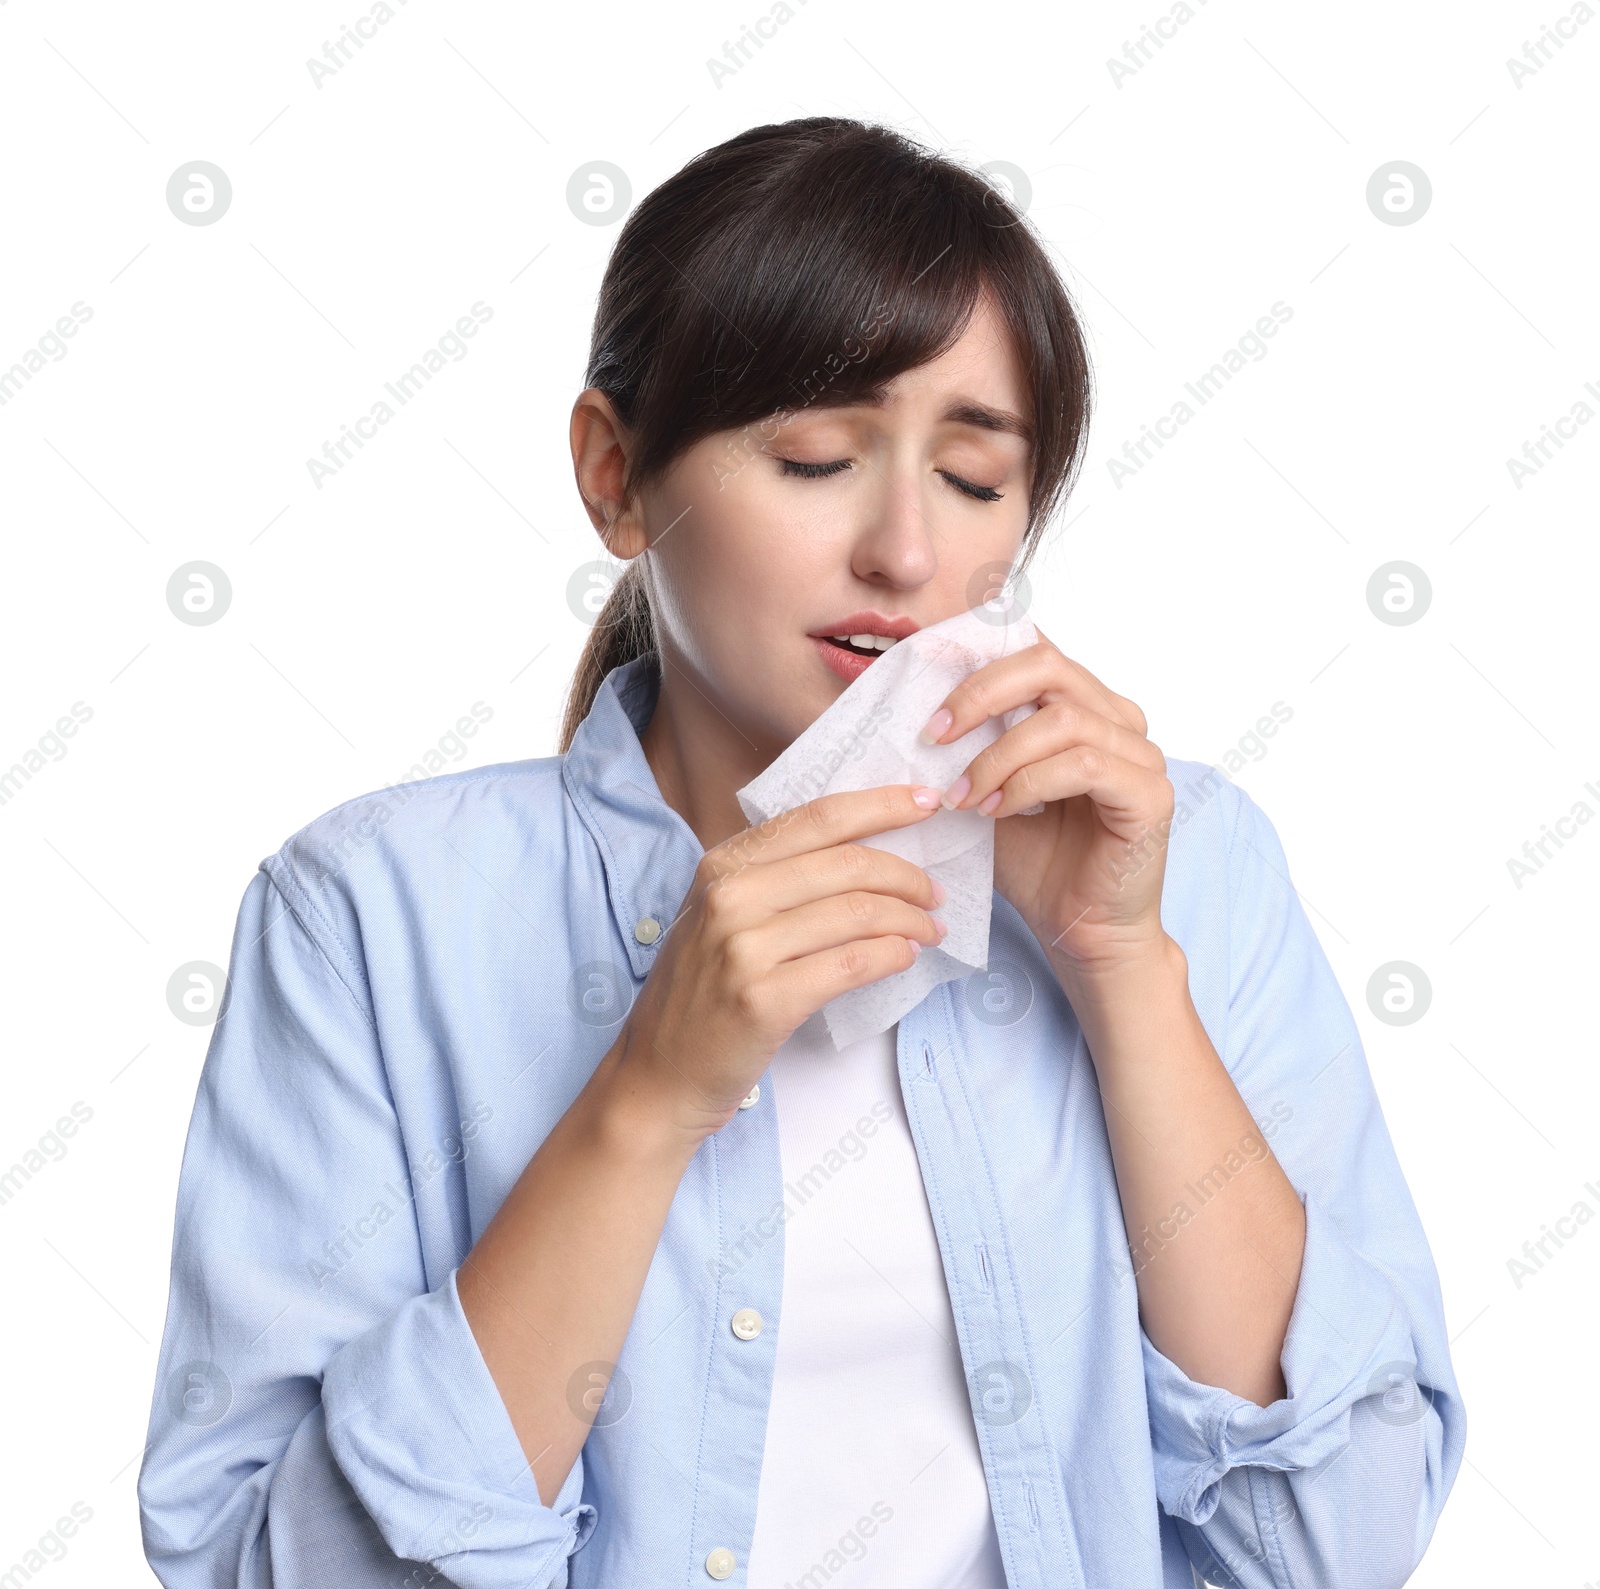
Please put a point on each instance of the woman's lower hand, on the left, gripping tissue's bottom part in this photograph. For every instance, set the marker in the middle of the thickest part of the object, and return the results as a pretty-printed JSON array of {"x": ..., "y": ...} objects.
[{"x": 778, "y": 921}]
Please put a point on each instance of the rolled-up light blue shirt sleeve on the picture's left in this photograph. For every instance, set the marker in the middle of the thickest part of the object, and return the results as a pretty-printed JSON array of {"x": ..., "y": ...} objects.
[{"x": 321, "y": 1414}]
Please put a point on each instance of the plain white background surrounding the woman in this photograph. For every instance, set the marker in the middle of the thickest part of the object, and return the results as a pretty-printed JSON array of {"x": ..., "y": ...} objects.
[{"x": 369, "y": 214}]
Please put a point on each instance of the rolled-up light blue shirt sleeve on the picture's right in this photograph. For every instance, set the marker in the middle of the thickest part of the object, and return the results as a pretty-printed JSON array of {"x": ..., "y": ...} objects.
[{"x": 1342, "y": 1481}]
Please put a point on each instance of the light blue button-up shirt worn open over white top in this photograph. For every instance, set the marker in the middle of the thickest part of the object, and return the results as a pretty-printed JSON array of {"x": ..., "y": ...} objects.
[{"x": 425, "y": 979}]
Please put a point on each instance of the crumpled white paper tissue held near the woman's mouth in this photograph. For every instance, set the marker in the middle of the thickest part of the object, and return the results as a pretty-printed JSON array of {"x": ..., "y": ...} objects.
[{"x": 868, "y": 738}]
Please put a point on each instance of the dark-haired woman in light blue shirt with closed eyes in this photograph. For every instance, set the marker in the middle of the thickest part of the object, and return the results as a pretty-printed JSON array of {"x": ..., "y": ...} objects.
[{"x": 532, "y": 1231}]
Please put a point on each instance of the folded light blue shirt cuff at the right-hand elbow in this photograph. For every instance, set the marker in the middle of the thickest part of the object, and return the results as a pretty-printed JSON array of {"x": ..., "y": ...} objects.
[{"x": 1348, "y": 1340}]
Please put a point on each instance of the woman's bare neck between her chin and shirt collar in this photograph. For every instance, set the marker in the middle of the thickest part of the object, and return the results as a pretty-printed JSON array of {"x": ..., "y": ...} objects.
[{"x": 700, "y": 758}]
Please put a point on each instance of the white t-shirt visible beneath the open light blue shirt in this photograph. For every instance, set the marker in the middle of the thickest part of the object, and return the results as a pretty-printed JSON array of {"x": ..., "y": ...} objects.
[{"x": 871, "y": 1451}]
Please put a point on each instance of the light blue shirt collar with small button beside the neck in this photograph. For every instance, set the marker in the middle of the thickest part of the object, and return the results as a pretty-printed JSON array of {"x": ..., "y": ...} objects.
[{"x": 649, "y": 851}]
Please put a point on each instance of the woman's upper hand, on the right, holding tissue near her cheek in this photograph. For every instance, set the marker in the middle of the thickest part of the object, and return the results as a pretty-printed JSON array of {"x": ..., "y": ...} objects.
[{"x": 1086, "y": 873}]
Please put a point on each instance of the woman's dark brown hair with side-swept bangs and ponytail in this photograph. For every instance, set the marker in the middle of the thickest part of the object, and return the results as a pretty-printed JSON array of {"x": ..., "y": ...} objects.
[{"x": 810, "y": 263}]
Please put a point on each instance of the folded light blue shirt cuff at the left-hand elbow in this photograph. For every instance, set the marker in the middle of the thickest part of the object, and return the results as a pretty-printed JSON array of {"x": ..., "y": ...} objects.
[{"x": 418, "y": 1427}]
